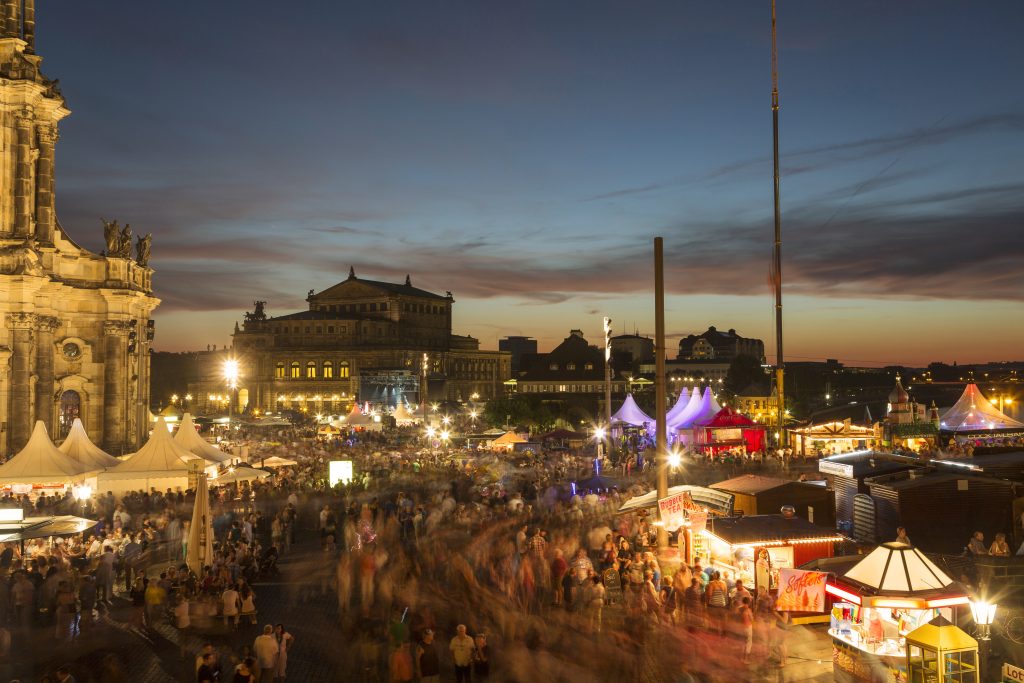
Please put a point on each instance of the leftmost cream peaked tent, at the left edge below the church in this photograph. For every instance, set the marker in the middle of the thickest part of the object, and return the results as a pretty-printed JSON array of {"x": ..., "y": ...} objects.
[{"x": 41, "y": 467}]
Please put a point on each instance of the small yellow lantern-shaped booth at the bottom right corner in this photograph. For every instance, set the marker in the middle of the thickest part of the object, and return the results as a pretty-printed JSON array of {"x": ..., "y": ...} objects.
[{"x": 941, "y": 653}]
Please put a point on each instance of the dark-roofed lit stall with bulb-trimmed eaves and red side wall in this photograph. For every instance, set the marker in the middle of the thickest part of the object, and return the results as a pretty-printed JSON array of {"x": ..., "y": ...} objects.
[{"x": 755, "y": 548}]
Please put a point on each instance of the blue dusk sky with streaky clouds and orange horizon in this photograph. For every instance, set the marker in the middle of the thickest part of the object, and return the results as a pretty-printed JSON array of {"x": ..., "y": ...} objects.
[{"x": 524, "y": 155}]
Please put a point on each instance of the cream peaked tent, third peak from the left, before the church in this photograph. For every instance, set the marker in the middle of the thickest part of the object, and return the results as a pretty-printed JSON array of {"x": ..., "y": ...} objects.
[{"x": 160, "y": 463}]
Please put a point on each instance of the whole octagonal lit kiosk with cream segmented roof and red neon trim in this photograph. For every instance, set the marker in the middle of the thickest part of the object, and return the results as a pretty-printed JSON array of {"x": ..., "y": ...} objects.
[{"x": 881, "y": 606}]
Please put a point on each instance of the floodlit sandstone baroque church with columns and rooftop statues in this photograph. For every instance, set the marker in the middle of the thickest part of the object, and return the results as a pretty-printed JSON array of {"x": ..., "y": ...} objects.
[{"x": 75, "y": 327}]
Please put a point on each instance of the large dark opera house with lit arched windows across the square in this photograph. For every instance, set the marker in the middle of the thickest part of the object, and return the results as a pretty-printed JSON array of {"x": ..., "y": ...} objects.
[{"x": 361, "y": 340}]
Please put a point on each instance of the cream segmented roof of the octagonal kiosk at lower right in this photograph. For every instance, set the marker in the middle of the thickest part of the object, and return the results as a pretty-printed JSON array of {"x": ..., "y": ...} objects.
[{"x": 897, "y": 569}]
